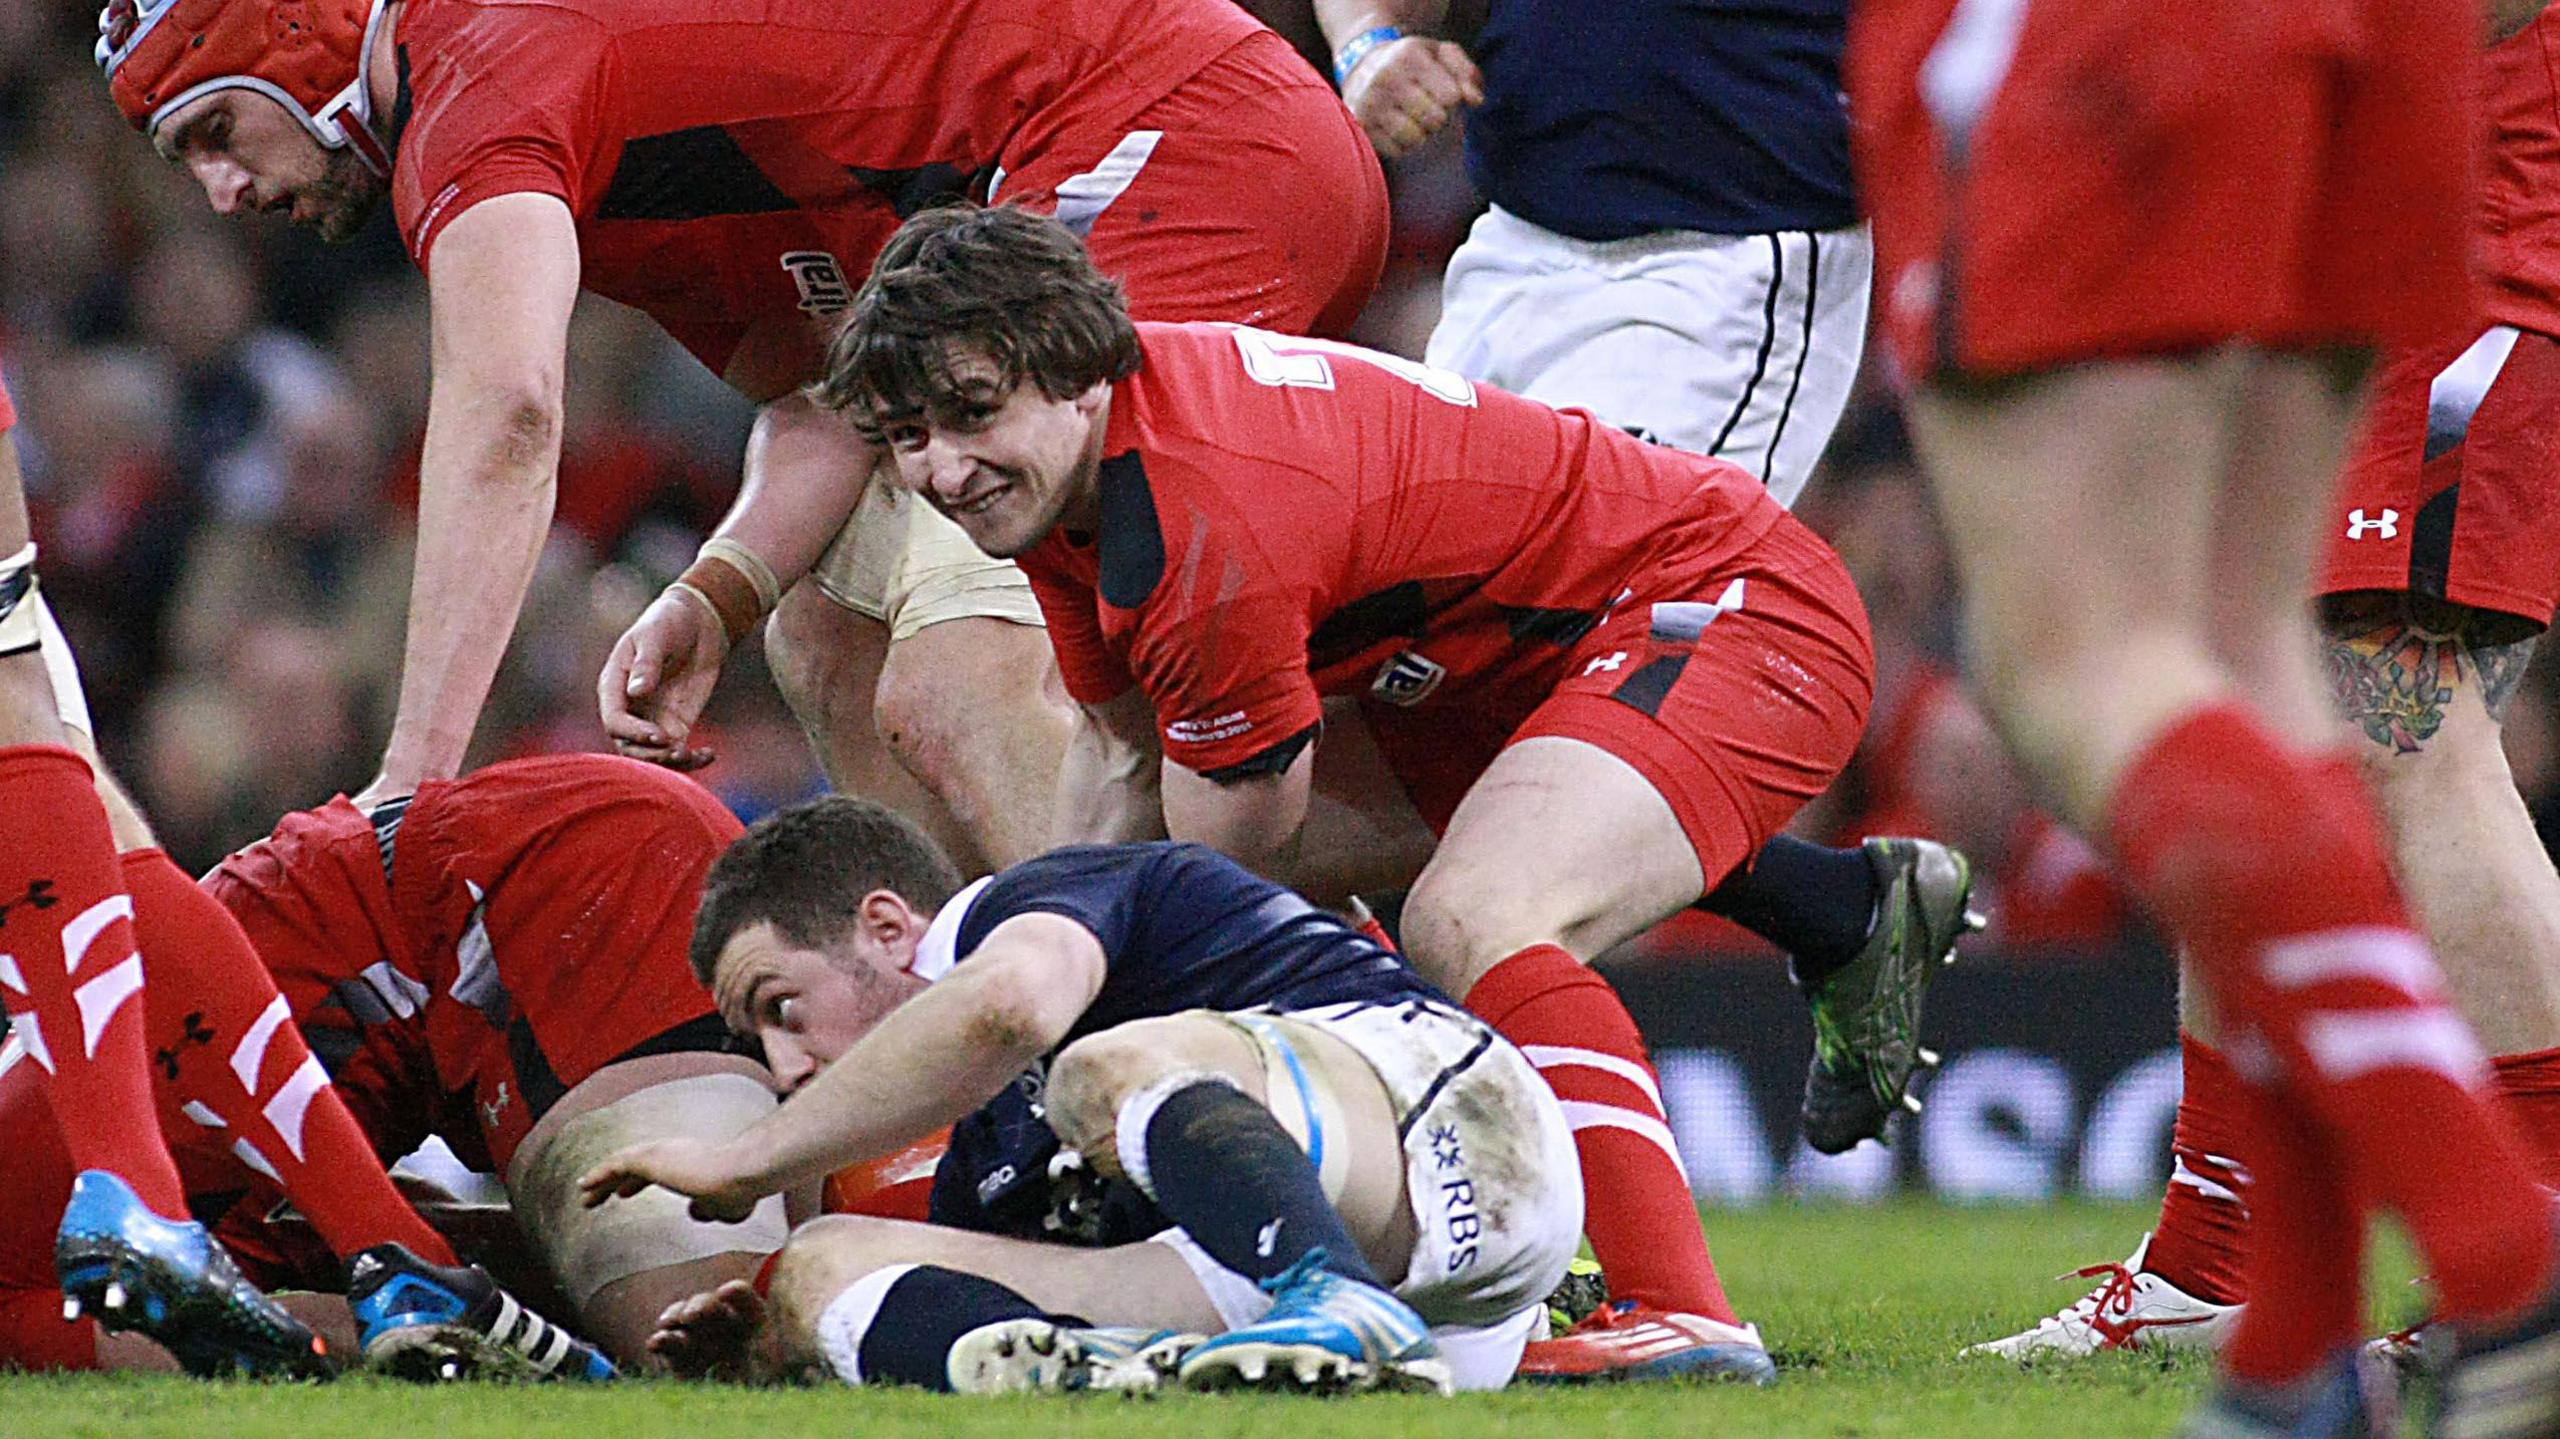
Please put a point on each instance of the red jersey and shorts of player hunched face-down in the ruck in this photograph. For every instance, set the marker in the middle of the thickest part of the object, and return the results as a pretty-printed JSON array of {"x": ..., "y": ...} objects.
[{"x": 559, "y": 887}]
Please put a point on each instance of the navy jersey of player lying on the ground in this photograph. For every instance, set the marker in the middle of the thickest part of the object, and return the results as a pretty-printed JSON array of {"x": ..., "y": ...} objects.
[{"x": 1181, "y": 928}]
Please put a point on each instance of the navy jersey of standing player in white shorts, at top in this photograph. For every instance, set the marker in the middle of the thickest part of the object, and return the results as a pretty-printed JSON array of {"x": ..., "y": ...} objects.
[{"x": 1629, "y": 117}]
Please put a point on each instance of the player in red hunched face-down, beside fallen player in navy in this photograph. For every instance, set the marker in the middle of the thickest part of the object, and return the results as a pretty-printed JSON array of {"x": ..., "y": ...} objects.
[{"x": 503, "y": 961}]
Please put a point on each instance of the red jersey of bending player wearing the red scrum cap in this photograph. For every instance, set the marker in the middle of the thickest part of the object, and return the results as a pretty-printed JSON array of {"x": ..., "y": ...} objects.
[{"x": 746, "y": 160}]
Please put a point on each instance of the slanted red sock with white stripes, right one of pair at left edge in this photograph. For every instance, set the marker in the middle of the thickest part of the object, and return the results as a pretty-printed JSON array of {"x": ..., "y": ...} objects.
[{"x": 224, "y": 1041}]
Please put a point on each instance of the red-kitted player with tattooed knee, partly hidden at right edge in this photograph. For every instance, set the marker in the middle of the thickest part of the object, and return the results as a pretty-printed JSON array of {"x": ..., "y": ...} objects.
[{"x": 2436, "y": 588}]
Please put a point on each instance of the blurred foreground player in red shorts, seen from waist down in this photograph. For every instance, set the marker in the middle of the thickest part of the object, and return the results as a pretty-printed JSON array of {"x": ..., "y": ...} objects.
[{"x": 2134, "y": 260}]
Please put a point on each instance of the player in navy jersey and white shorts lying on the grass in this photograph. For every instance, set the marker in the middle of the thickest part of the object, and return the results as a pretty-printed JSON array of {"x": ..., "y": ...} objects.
[{"x": 1302, "y": 1148}]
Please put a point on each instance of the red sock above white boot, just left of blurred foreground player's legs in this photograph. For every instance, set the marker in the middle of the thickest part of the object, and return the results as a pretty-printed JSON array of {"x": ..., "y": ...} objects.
[{"x": 2203, "y": 1238}]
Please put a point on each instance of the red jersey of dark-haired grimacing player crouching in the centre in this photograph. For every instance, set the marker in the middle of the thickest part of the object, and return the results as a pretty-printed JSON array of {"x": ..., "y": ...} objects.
[{"x": 1292, "y": 519}]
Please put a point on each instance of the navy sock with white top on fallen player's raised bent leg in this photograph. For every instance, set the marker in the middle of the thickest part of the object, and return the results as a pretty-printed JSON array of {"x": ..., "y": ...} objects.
[{"x": 1222, "y": 1169}]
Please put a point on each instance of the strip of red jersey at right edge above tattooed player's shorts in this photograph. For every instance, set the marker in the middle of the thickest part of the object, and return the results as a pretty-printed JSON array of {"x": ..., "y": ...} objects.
[{"x": 2520, "y": 201}]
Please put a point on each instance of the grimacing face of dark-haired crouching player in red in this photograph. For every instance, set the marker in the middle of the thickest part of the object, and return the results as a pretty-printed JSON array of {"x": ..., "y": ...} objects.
[{"x": 1010, "y": 465}]
